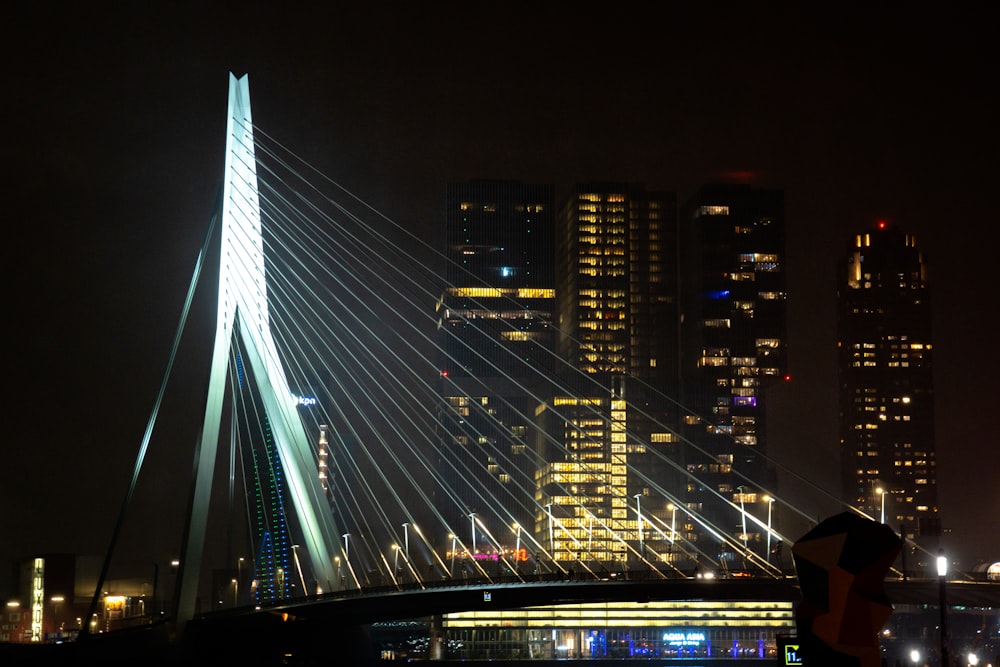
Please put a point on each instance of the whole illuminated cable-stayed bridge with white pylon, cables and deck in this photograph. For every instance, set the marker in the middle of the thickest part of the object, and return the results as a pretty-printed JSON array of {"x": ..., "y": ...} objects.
[{"x": 354, "y": 460}]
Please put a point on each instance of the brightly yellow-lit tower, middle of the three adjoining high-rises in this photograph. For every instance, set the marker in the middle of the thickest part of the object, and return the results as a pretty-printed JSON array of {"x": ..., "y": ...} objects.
[{"x": 605, "y": 486}]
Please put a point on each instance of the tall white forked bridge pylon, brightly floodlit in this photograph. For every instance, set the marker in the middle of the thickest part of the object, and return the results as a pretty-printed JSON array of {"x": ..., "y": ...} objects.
[{"x": 243, "y": 311}]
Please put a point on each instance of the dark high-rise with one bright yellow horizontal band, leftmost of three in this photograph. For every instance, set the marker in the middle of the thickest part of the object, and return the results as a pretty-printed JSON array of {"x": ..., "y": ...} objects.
[{"x": 495, "y": 323}]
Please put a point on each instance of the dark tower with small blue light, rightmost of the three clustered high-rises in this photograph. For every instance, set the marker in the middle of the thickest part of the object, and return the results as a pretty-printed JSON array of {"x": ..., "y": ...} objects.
[{"x": 733, "y": 342}]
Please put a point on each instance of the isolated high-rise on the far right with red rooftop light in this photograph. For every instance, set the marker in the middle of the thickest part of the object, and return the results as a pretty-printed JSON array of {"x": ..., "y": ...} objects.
[{"x": 886, "y": 385}]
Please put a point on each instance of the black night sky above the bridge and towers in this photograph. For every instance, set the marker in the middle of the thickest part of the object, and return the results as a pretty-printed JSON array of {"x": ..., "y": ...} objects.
[{"x": 114, "y": 118}]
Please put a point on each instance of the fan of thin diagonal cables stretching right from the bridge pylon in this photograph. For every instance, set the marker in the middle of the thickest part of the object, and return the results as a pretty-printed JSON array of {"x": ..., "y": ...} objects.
[{"x": 351, "y": 304}]
